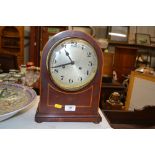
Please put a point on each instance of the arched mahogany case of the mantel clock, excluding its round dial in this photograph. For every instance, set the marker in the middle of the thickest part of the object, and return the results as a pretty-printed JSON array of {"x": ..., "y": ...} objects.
[{"x": 86, "y": 100}]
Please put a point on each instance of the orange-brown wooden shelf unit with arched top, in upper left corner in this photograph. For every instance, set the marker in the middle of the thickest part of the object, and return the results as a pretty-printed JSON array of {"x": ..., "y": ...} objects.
[{"x": 12, "y": 42}]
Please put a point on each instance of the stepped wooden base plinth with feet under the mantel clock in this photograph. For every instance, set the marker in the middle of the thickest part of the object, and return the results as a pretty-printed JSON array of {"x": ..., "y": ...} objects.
[{"x": 39, "y": 118}]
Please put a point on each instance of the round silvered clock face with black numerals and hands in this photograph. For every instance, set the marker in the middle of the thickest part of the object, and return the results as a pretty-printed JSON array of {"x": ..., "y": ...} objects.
[{"x": 72, "y": 63}]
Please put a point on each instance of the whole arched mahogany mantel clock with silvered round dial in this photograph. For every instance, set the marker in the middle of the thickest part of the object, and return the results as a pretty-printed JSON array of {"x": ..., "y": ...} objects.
[{"x": 71, "y": 76}]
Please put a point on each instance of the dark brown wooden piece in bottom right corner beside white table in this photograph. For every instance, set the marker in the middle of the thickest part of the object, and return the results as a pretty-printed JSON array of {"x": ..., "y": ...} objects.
[{"x": 138, "y": 119}]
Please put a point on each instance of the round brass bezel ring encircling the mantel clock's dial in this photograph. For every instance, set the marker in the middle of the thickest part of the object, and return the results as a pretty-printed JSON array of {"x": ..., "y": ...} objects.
[{"x": 74, "y": 87}]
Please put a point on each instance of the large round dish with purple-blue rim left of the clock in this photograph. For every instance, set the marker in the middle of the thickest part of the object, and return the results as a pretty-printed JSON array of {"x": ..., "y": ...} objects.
[{"x": 14, "y": 98}]
